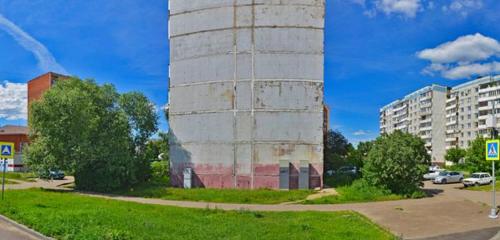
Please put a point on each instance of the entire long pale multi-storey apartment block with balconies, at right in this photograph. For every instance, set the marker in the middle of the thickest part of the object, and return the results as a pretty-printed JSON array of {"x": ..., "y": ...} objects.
[{"x": 445, "y": 117}]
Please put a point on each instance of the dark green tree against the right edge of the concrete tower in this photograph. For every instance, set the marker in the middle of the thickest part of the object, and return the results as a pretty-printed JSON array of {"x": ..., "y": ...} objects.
[{"x": 336, "y": 150}]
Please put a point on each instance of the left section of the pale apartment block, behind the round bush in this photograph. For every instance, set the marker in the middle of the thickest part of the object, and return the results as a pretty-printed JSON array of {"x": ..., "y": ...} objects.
[{"x": 419, "y": 113}]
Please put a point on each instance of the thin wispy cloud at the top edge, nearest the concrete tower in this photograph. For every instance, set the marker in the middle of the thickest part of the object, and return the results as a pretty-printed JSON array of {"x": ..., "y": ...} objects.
[{"x": 408, "y": 8}]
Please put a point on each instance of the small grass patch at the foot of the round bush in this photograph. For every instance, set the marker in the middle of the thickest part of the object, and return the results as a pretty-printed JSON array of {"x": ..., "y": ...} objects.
[{"x": 357, "y": 192}]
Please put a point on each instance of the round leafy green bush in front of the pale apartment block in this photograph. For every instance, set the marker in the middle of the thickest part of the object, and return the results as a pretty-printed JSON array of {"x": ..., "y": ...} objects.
[{"x": 397, "y": 162}]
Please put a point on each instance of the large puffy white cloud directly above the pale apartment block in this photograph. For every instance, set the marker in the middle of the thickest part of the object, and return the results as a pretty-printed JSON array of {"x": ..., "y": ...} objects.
[{"x": 464, "y": 57}]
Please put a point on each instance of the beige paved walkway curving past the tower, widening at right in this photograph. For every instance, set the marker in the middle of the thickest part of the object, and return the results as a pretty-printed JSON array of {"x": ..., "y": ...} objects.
[{"x": 450, "y": 214}]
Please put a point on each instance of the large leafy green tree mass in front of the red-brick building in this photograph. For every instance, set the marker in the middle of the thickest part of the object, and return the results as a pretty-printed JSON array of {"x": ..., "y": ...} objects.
[{"x": 80, "y": 127}]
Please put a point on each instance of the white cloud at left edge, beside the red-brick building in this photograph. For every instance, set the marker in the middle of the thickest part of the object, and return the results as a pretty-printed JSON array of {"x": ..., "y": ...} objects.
[{"x": 13, "y": 101}]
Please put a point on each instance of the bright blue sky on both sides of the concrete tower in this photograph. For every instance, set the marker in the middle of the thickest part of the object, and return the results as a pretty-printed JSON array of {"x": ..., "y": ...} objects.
[{"x": 374, "y": 50}]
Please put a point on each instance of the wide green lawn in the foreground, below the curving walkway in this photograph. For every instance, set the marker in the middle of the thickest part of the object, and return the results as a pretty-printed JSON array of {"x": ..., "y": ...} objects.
[{"x": 72, "y": 216}]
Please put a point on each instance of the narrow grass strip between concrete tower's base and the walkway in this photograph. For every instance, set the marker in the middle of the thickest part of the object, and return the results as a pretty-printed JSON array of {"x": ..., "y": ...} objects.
[{"x": 259, "y": 196}]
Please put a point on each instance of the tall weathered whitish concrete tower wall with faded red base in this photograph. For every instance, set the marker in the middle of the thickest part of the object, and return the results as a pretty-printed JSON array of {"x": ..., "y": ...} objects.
[{"x": 246, "y": 90}]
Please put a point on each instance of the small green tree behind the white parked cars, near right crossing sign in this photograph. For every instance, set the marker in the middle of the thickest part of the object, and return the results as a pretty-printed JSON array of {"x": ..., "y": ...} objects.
[{"x": 475, "y": 156}]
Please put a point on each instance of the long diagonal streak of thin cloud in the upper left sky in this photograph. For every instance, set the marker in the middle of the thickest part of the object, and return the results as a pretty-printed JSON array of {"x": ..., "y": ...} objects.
[{"x": 46, "y": 61}]
